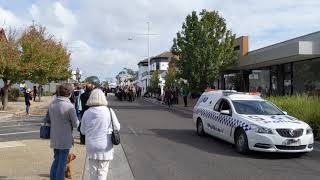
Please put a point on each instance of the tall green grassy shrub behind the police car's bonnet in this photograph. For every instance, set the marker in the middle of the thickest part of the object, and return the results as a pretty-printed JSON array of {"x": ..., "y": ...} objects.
[{"x": 305, "y": 108}]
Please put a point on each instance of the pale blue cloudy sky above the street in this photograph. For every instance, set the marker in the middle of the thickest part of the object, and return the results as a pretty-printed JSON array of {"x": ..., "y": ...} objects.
[{"x": 97, "y": 31}]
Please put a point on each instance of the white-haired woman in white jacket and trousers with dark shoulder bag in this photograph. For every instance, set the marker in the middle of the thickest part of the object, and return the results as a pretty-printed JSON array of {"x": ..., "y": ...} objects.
[{"x": 97, "y": 128}]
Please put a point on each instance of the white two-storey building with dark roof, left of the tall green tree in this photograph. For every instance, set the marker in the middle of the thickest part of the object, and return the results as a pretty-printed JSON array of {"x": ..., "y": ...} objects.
[{"x": 159, "y": 62}]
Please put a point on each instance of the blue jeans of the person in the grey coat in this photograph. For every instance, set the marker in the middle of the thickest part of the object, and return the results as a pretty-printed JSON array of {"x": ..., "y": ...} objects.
[{"x": 59, "y": 164}]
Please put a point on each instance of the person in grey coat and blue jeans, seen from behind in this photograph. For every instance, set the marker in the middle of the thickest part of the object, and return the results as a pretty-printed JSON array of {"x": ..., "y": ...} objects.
[{"x": 62, "y": 118}]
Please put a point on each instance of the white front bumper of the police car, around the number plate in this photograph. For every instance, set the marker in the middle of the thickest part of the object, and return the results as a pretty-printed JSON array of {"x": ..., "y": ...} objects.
[{"x": 275, "y": 143}]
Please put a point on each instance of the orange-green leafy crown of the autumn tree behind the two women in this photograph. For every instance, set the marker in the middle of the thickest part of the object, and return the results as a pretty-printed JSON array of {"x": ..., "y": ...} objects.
[{"x": 48, "y": 60}]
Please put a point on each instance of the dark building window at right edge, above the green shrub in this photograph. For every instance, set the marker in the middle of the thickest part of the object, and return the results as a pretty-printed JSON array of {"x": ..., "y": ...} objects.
[{"x": 306, "y": 77}]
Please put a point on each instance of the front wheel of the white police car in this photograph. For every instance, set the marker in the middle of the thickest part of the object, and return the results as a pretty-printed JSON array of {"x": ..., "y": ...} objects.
[{"x": 241, "y": 141}]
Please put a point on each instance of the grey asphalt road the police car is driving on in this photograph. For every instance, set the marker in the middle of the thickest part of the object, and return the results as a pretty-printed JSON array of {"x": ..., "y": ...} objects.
[{"x": 162, "y": 144}]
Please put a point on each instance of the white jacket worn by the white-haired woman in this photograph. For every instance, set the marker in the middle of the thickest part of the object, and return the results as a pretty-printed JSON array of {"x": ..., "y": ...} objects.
[{"x": 97, "y": 128}]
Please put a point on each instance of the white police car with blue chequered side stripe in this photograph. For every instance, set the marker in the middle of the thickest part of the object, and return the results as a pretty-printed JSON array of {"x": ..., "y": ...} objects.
[{"x": 251, "y": 123}]
